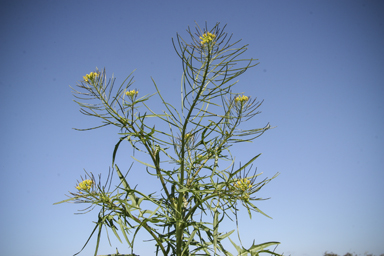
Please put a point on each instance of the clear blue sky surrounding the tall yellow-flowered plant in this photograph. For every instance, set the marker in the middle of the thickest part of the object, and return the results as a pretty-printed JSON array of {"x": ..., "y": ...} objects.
[{"x": 321, "y": 75}]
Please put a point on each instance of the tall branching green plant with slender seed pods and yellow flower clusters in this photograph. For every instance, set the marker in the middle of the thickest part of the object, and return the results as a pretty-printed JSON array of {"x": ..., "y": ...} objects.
[{"x": 203, "y": 188}]
